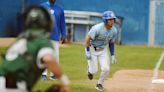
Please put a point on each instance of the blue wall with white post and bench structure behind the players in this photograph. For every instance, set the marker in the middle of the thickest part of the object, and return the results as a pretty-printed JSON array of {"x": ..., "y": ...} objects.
[{"x": 140, "y": 22}]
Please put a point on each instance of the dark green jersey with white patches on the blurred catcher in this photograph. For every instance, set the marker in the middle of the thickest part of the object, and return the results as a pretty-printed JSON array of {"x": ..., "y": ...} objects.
[{"x": 23, "y": 59}]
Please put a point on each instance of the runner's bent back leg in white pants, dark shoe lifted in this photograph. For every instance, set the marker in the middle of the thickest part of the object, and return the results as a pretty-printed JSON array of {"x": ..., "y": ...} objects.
[{"x": 92, "y": 66}]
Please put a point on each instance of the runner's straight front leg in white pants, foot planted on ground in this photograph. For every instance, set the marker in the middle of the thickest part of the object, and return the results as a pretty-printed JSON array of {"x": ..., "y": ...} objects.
[{"x": 104, "y": 63}]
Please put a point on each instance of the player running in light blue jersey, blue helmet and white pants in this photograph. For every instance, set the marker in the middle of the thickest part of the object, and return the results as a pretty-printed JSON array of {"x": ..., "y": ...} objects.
[{"x": 99, "y": 37}]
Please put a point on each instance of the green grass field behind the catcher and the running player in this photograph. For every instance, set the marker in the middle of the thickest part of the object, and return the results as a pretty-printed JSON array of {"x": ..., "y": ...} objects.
[{"x": 74, "y": 64}]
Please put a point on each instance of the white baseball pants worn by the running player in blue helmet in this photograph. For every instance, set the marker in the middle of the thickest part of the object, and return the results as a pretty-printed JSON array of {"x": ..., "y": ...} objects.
[{"x": 103, "y": 58}]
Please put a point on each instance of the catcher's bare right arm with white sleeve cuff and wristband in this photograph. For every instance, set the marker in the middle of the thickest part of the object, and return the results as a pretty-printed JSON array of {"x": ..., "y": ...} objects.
[{"x": 46, "y": 59}]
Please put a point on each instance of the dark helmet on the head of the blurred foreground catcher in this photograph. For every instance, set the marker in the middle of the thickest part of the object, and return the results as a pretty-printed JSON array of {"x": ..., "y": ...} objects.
[{"x": 37, "y": 17}]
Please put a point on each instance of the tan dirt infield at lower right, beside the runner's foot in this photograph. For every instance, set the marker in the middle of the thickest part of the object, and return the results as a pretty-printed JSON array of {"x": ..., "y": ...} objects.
[{"x": 133, "y": 81}]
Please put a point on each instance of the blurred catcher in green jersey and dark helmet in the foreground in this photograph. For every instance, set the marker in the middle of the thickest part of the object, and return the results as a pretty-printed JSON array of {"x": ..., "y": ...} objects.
[{"x": 27, "y": 58}]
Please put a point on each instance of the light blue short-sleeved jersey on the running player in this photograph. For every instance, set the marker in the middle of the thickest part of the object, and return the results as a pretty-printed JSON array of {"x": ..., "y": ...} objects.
[{"x": 100, "y": 36}]
